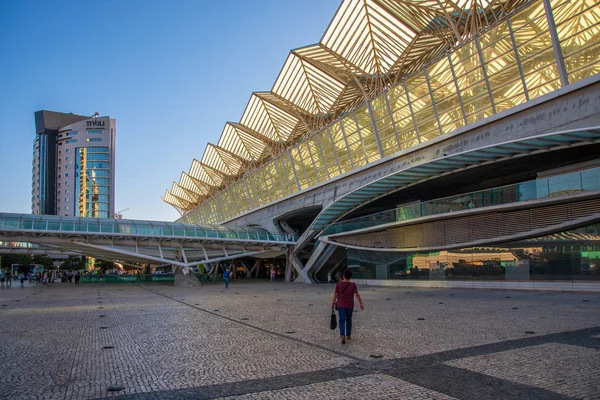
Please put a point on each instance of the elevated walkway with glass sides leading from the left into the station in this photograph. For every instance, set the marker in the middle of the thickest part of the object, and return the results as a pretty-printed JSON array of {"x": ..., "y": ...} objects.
[{"x": 142, "y": 241}]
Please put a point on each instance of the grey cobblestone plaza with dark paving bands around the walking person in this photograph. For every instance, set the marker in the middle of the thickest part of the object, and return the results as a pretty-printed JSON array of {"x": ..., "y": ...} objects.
[{"x": 262, "y": 340}]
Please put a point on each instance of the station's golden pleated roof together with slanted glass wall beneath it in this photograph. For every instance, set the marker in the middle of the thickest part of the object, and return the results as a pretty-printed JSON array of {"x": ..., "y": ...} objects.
[{"x": 387, "y": 76}]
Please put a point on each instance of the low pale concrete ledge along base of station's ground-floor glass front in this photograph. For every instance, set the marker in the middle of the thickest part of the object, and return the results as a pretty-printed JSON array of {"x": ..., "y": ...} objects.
[{"x": 554, "y": 286}]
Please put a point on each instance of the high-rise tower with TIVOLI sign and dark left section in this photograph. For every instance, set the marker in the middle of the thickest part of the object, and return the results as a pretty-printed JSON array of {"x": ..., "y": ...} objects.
[{"x": 73, "y": 165}]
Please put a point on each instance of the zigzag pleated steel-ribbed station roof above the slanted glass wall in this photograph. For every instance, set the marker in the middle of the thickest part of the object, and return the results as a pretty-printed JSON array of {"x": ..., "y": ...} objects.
[{"x": 368, "y": 47}]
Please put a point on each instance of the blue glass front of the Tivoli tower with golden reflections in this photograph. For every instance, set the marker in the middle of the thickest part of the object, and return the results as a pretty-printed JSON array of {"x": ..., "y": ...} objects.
[{"x": 92, "y": 183}]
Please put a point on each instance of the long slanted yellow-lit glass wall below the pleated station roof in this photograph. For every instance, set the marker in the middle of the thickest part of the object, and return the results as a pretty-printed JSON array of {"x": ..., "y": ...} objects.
[{"x": 506, "y": 65}]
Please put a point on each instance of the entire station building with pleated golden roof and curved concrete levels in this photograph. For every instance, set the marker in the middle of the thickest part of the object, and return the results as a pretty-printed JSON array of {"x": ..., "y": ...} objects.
[{"x": 432, "y": 140}]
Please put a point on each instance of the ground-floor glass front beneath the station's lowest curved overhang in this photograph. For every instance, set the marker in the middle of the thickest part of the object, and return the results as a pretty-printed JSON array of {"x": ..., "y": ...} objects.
[{"x": 571, "y": 255}]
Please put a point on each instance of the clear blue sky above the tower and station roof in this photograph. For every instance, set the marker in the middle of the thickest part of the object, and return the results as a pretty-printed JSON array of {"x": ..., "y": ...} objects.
[{"x": 170, "y": 72}]
